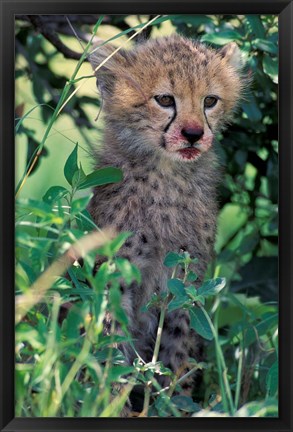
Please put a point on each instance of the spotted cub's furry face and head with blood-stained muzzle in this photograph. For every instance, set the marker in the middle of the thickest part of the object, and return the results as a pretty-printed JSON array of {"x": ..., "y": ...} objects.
[{"x": 169, "y": 96}]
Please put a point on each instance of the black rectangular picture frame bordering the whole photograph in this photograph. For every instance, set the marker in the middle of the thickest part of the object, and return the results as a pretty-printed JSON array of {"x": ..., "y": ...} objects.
[{"x": 284, "y": 9}]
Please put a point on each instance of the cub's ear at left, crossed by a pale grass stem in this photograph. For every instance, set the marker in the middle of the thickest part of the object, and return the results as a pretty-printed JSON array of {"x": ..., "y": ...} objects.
[{"x": 107, "y": 65}]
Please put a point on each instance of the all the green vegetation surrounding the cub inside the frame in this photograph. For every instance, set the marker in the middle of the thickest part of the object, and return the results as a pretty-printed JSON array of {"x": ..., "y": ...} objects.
[{"x": 65, "y": 365}]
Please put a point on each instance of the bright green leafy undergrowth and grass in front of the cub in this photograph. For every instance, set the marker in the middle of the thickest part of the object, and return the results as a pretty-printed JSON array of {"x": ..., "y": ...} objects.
[{"x": 66, "y": 366}]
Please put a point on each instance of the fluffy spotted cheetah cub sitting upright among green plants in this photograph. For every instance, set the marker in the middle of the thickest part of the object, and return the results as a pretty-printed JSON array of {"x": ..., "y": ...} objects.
[{"x": 164, "y": 101}]
